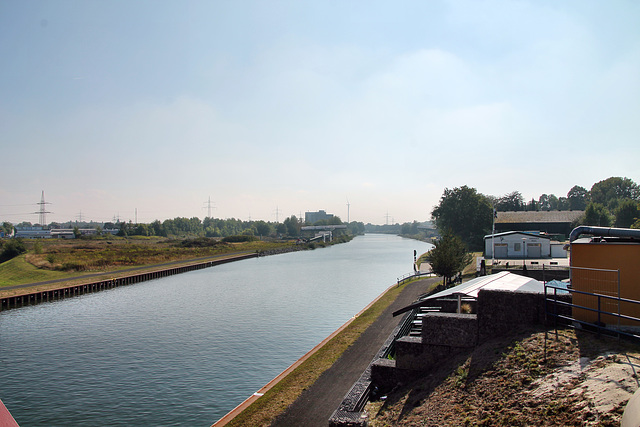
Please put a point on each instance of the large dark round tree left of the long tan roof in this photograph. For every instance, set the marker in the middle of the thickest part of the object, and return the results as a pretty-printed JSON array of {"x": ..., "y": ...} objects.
[{"x": 466, "y": 213}]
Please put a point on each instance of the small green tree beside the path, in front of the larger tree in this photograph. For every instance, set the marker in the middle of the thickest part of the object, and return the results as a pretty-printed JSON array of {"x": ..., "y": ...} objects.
[{"x": 449, "y": 257}]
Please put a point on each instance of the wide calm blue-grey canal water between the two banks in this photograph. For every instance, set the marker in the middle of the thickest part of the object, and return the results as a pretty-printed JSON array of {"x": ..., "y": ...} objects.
[{"x": 186, "y": 349}]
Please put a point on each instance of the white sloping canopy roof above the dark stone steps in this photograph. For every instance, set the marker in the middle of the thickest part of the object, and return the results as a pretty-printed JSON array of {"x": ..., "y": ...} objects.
[{"x": 503, "y": 281}]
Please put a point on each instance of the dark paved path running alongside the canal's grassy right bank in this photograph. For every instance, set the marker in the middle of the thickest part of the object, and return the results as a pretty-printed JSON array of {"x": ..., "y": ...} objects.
[{"x": 315, "y": 405}]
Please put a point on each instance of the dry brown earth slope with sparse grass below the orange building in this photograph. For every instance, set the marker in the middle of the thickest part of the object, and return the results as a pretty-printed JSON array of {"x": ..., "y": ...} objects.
[{"x": 585, "y": 380}]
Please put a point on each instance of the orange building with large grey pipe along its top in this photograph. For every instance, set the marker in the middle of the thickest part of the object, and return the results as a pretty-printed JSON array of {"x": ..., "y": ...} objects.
[{"x": 606, "y": 264}]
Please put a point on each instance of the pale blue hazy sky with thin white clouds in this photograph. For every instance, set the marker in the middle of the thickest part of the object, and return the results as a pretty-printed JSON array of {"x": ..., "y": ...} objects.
[{"x": 365, "y": 109}]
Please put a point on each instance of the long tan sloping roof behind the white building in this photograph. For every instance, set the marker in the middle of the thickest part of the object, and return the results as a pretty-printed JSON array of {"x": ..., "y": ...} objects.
[{"x": 558, "y": 223}]
